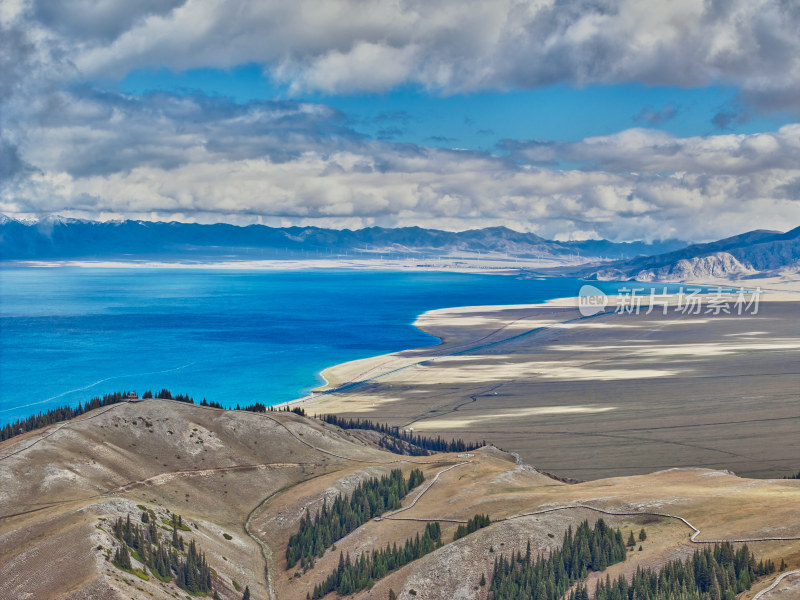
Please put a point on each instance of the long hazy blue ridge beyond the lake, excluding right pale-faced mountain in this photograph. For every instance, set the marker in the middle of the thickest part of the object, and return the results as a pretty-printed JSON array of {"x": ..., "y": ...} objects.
[{"x": 55, "y": 238}]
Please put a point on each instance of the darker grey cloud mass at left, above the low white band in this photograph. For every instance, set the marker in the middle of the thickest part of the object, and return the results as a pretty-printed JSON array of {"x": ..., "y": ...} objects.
[{"x": 87, "y": 132}]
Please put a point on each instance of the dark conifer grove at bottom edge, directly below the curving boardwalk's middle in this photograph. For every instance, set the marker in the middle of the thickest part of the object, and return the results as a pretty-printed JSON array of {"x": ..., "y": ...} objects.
[{"x": 524, "y": 576}]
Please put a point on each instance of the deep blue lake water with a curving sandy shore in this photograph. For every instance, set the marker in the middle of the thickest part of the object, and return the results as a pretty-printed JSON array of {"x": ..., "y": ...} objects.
[{"x": 68, "y": 334}]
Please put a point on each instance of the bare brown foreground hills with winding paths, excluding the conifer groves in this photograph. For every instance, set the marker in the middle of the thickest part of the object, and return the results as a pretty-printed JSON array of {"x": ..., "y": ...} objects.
[{"x": 242, "y": 483}]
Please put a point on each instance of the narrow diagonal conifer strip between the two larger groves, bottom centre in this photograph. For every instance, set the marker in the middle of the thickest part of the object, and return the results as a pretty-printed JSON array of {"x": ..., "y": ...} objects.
[{"x": 353, "y": 576}]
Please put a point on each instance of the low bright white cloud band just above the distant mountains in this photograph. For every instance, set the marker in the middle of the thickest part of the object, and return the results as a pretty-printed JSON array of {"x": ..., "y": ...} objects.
[{"x": 441, "y": 191}]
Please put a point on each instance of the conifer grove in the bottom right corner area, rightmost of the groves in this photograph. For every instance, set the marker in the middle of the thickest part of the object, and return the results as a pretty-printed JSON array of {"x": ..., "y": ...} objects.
[{"x": 718, "y": 573}]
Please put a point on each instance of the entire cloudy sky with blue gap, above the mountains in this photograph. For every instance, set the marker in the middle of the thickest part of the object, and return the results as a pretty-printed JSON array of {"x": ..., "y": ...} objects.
[{"x": 572, "y": 119}]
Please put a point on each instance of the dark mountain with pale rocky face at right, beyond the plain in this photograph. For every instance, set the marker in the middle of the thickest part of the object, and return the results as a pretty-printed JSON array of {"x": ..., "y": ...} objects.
[{"x": 749, "y": 254}]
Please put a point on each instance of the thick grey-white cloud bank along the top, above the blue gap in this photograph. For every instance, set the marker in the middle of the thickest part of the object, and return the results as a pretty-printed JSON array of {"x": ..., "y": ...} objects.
[{"x": 450, "y": 45}]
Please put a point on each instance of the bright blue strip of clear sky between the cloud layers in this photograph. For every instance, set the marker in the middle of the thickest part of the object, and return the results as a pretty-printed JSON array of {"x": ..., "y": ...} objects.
[{"x": 480, "y": 120}]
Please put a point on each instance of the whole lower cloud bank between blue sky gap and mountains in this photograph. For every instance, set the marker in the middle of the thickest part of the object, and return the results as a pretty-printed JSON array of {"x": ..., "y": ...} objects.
[{"x": 193, "y": 158}]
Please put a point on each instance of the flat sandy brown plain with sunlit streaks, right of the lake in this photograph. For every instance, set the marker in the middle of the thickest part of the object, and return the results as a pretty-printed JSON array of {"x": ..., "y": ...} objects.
[{"x": 612, "y": 394}]
